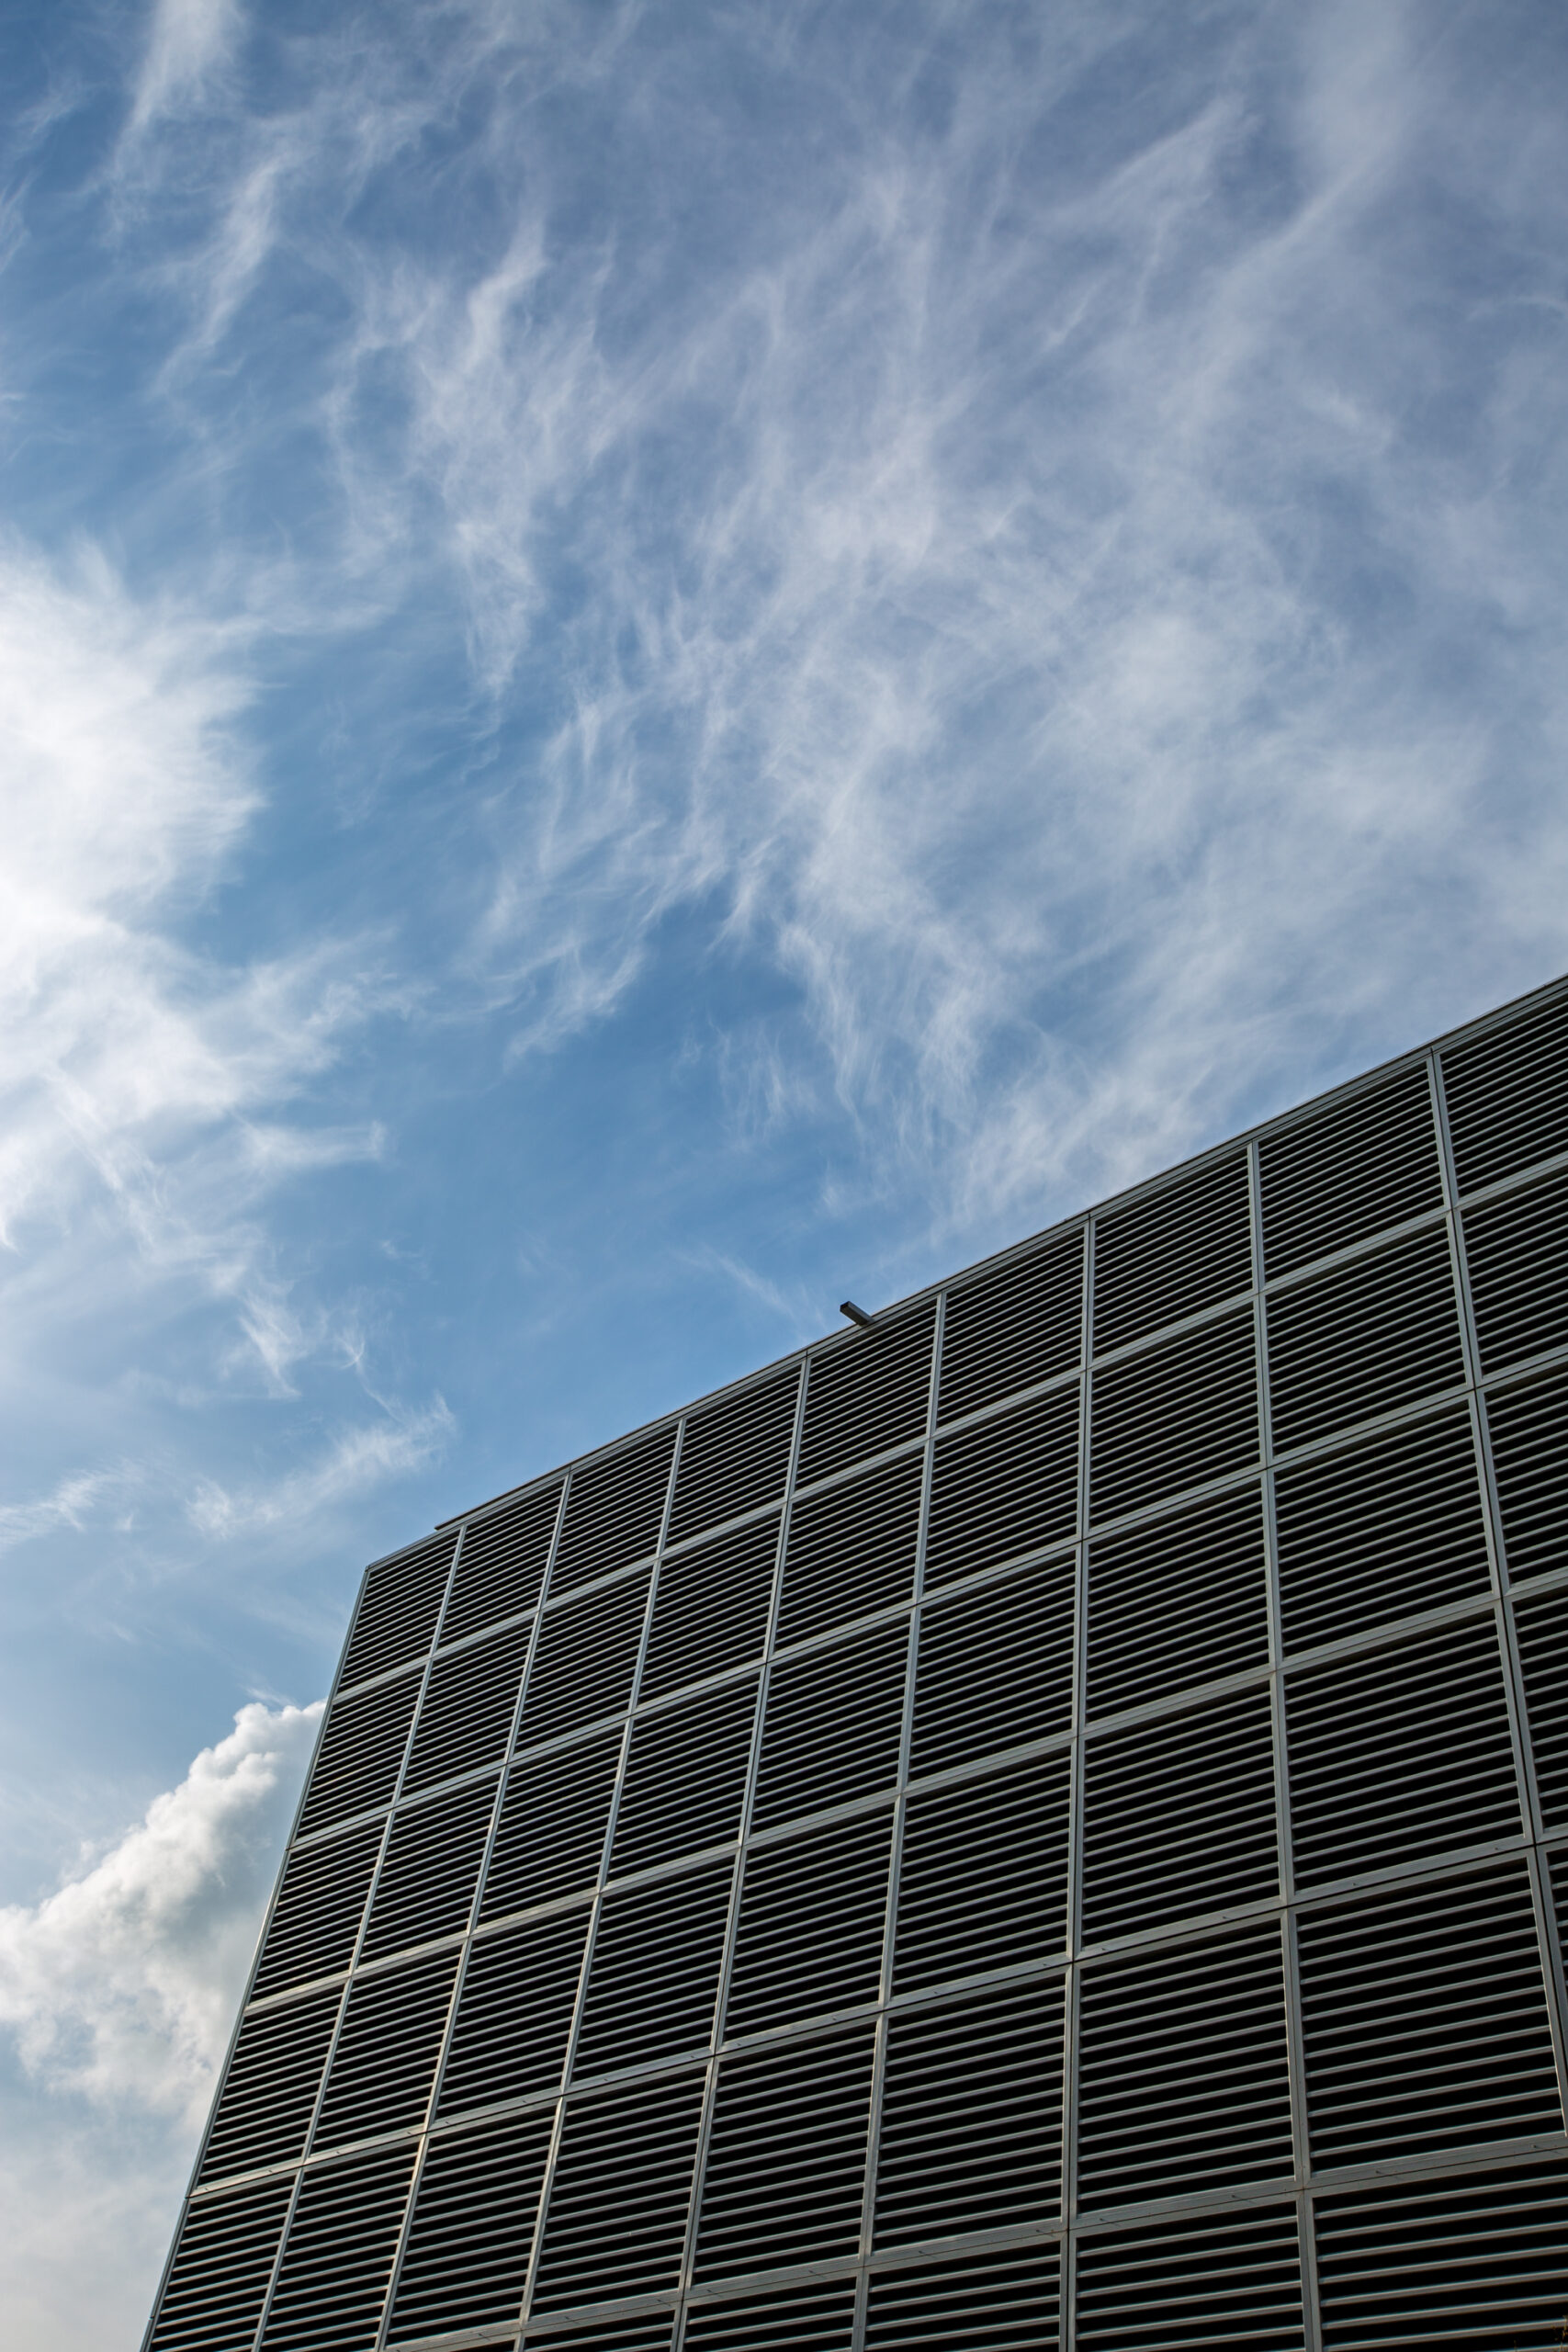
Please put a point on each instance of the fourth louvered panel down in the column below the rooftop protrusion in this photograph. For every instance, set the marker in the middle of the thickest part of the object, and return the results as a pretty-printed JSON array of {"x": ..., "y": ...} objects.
[{"x": 812, "y": 1918}]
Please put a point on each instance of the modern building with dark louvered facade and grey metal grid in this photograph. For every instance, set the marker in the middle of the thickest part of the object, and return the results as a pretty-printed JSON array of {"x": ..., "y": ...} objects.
[{"x": 1038, "y": 1822}]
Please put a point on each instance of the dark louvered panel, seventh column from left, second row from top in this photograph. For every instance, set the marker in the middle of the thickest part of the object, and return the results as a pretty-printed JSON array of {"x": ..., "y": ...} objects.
[{"x": 1174, "y": 1417}]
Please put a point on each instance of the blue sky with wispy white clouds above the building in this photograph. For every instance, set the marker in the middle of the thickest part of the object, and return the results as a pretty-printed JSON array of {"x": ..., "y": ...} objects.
[{"x": 659, "y": 664}]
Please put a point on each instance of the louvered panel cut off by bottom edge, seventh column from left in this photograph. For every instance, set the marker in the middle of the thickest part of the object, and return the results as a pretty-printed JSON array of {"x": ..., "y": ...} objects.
[{"x": 1212, "y": 2280}]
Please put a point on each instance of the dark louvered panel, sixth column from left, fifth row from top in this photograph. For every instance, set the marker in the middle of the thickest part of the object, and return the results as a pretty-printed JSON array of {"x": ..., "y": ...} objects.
[{"x": 972, "y": 2116}]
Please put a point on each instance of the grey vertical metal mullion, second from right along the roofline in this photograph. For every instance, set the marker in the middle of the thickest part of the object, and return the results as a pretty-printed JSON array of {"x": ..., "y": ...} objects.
[{"x": 1296, "y": 2043}]
